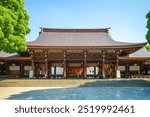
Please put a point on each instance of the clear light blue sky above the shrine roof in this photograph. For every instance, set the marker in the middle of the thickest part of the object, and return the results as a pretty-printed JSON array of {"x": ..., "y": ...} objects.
[{"x": 125, "y": 17}]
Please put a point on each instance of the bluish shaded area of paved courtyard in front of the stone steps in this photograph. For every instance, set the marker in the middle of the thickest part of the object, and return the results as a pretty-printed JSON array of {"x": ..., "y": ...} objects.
[{"x": 86, "y": 93}]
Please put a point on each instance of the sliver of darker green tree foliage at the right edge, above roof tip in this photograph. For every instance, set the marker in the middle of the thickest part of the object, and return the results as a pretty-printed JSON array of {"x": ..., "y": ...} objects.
[{"x": 148, "y": 27}]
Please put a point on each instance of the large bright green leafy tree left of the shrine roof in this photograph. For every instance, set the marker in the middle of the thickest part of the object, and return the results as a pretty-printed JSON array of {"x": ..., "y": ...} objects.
[{"x": 13, "y": 26}]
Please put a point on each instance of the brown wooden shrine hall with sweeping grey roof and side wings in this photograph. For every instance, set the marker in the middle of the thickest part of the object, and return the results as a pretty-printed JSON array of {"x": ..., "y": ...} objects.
[{"x": 77, "y": 53}]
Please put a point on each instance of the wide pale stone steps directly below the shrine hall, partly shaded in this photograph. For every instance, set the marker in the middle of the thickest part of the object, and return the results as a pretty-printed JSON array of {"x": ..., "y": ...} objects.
[{"x": 74, "y": 82}]
